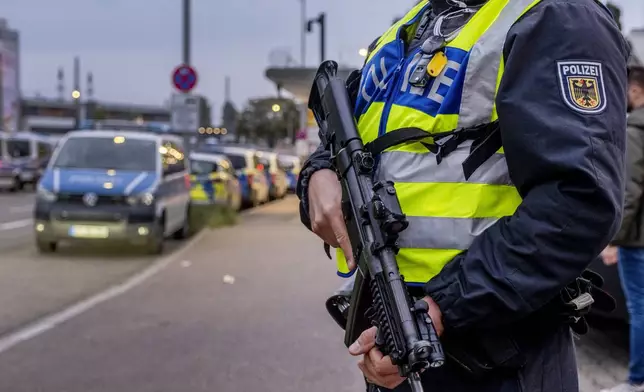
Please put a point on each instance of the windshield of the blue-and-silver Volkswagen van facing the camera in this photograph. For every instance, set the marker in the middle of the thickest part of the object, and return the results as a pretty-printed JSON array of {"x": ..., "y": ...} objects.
[{"x": 119, "y": 153}]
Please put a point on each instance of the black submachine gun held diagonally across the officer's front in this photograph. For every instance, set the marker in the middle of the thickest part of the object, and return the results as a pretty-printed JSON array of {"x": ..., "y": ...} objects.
[{"x": 374, "y": 220}]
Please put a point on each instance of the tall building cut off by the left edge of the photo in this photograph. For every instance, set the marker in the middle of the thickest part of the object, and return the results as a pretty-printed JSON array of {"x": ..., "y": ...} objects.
[{"x": 9, "y": 78}]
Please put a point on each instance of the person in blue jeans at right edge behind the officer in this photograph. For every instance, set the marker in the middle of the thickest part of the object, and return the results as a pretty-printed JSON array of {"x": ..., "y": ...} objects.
[{"x": 628, "y": 245}]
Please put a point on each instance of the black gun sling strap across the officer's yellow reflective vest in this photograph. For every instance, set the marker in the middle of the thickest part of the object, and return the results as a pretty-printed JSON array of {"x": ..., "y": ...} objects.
[{"x": 486, "y": 137}]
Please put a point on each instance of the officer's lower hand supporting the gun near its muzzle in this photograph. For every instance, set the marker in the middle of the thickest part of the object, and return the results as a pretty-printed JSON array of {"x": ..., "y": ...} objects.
[{"x": 377, "y": 368}]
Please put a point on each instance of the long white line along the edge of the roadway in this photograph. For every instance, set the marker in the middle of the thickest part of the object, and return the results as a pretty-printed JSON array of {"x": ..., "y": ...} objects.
[{"x": 47, "y": 323}]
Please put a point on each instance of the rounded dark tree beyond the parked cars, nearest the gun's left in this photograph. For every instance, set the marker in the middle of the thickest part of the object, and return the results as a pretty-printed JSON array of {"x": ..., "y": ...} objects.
[{"x": 269, "y": 119}]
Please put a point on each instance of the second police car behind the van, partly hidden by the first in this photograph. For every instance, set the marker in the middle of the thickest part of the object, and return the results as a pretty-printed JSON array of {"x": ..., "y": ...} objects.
[{"x": 254, "y": 183}]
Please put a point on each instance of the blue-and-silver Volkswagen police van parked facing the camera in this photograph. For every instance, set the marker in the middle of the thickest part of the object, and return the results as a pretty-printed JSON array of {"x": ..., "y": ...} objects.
[{"x": 114, "y": 186}]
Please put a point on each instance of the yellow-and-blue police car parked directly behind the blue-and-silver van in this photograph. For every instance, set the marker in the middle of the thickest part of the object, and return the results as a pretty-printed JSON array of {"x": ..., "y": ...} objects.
[{"x": 214, "y": 181}]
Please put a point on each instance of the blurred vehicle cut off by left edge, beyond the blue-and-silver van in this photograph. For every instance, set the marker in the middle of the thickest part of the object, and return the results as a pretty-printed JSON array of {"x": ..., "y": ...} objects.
[{"x": 23, "y": 158}]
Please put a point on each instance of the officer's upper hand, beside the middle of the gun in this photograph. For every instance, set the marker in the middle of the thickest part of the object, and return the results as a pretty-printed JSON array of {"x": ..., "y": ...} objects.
[{"x": 325, "y": 211}]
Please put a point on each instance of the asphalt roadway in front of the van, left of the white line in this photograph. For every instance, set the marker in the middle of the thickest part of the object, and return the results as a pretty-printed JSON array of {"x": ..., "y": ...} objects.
[{"x": 34, "y": 285}]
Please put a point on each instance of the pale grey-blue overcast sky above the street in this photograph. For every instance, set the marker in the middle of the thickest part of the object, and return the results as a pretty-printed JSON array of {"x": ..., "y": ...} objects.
[{"x": 131, "y": 46}]
